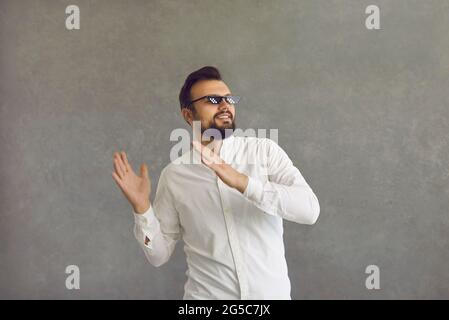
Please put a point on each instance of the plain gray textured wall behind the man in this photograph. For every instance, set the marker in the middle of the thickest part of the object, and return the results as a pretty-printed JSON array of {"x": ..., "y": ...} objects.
[{"x": 363, "y": 114}]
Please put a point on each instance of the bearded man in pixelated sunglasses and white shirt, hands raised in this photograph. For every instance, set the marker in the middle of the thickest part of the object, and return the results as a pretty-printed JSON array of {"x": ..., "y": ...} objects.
[{"x": 227, "y": 210}]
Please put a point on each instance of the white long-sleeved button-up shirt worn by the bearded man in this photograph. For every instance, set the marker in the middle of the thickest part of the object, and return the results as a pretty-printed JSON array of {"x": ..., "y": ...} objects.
[{"x": 233, "y": 241}]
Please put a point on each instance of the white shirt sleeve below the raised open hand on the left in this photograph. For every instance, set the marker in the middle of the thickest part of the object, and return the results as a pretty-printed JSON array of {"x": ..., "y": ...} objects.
[{"x": 157, "y": 230}]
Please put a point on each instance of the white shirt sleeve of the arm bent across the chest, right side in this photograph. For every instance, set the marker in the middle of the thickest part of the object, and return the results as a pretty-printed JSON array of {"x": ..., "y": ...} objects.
[{"x": 286, "y": 192}]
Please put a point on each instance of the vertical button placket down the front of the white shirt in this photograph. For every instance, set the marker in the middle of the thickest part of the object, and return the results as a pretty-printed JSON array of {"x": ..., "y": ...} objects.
[{"x": 232, "y": 234}]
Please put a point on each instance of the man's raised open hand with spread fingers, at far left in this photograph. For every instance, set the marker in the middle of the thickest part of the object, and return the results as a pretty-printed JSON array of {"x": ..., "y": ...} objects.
[{"x": 136, "y": 188}]
